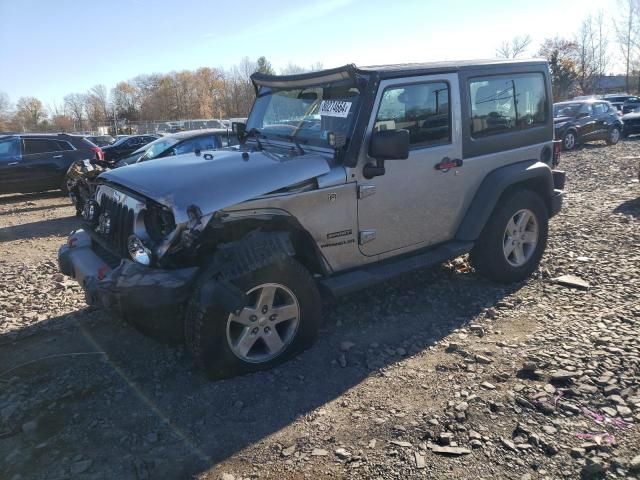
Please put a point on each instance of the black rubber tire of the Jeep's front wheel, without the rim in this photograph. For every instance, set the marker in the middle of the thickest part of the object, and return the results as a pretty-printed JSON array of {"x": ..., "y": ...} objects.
[{"x": 206, "y": 326}]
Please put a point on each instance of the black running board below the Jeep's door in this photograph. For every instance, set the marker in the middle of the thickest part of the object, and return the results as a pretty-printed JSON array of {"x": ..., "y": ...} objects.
[{"x": 342, "y": 284}]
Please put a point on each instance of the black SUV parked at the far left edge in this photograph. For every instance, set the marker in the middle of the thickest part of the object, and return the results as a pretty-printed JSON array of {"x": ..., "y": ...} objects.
[{"x": 32, "y": 162}]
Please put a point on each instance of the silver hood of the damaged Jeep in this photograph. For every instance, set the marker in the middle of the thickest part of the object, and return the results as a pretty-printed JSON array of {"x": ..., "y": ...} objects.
[{"x": 215, "y": 183}]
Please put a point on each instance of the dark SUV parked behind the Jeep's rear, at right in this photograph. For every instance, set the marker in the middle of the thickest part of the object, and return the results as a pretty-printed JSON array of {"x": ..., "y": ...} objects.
[{"x": 577, "y": 122}]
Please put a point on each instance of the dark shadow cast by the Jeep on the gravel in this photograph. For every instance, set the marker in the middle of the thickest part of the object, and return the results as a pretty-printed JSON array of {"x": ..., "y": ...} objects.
[{"x": 144, "y": 404}]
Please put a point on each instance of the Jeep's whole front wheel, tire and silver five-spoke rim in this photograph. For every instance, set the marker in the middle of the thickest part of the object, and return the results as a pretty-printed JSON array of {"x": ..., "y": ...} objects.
[{"x": 281, "y": 319}]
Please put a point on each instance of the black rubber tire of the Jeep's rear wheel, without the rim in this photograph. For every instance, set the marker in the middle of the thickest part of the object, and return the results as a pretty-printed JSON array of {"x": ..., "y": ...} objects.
[{"x": 488, "y": 257}]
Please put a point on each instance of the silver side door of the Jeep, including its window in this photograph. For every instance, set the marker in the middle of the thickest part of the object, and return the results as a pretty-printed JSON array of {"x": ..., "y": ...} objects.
[{"x": 413, "y": 204}]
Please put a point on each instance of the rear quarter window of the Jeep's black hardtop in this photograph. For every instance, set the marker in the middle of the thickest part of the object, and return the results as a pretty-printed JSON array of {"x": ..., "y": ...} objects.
[{"x": 501, "y": 104}]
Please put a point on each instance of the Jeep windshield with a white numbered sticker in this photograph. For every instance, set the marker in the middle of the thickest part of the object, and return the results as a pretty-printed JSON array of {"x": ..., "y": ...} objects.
[{"x": 306, "y": 115}]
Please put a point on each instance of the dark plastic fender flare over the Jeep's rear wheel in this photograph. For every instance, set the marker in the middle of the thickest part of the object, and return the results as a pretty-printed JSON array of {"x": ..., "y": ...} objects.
[{"x": 530, "y": 174}]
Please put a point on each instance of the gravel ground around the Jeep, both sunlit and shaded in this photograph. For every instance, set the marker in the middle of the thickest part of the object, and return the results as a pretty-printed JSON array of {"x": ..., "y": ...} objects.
[{"x": 438, "y": 374}]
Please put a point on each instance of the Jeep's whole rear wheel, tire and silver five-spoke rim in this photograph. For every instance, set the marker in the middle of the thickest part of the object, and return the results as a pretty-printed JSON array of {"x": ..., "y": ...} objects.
[{"x": 513, "y": 240}]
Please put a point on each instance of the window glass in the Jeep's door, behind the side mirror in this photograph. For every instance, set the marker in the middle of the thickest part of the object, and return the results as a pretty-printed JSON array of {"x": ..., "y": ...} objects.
[{"x": 423, "y": 109}]
